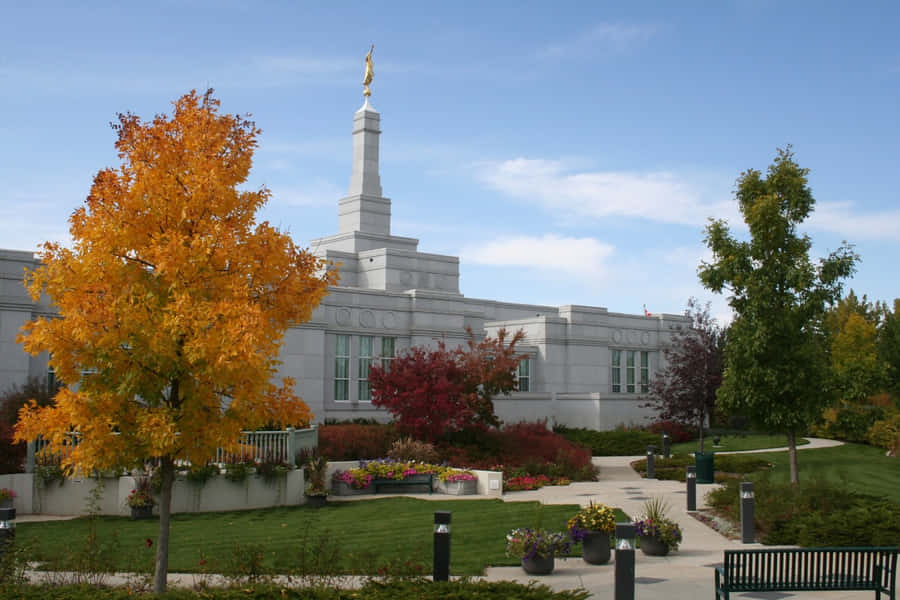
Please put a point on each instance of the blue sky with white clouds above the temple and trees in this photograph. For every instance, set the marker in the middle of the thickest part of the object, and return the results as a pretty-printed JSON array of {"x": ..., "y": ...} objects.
[{"x": 568, "y": 152}]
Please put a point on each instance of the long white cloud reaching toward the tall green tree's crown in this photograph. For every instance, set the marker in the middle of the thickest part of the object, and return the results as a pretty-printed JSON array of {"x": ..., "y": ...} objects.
[{"x": 658, "y": 196}]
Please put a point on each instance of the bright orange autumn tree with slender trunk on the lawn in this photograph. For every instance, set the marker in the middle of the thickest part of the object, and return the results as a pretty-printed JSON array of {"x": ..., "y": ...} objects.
[{"x": 173, "y": 302}]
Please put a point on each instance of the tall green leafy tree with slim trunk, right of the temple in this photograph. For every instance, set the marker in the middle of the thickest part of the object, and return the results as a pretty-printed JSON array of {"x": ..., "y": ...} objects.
[{"x": 775, "y": 357}]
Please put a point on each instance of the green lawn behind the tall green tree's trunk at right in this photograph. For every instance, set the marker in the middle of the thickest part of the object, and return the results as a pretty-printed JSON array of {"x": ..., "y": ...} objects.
[{"x": 864, "y": 469}]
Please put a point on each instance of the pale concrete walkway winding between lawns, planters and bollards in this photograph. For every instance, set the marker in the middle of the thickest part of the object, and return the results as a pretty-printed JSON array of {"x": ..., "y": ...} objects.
[{"x": 687, "y": 573}]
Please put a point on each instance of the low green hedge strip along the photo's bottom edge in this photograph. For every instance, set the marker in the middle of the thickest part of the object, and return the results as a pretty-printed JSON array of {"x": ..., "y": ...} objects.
[{"x": 413, "y": 589}]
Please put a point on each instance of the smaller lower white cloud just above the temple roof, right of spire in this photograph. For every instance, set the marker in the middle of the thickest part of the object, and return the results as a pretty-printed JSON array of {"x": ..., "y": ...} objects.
[{"x": 550, "y": 253}]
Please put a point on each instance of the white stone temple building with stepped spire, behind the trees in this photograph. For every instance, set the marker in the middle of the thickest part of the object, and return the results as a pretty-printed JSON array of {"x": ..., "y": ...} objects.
[{"x": 586, "y": 366}]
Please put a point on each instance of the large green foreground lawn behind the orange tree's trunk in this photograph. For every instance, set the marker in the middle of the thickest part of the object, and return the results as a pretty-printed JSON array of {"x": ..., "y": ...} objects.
[{"x": 361, "y": 536}]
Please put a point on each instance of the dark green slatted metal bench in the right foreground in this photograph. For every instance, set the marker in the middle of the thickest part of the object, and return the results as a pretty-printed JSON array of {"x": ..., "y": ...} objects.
[{"x": 809, "y": 570}]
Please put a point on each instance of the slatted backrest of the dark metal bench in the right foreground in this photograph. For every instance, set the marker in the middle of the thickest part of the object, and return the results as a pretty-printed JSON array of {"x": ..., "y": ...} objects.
[{"x": 816, "y": 568}]
